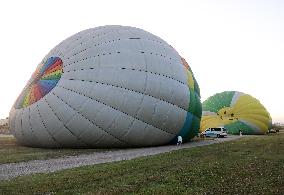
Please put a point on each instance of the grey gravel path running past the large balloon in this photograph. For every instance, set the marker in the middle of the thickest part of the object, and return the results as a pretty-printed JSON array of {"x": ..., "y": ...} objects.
[{"x": 12, "y": 170}]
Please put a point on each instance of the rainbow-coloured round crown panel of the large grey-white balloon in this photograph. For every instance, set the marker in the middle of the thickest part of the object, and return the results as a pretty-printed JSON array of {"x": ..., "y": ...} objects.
[{"x": 42, "y": 82}]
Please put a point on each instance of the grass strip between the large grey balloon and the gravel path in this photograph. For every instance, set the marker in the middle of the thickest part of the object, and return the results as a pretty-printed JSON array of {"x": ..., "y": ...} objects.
[{"x": 11, "y": 152}]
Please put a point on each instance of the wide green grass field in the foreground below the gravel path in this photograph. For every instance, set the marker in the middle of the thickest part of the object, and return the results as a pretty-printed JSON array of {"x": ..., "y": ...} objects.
[{"x": 251, "y": 165}]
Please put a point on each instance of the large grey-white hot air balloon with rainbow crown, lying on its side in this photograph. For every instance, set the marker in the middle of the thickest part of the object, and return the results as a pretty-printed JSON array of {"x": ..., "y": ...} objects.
[{"x": 110, "y": 86}]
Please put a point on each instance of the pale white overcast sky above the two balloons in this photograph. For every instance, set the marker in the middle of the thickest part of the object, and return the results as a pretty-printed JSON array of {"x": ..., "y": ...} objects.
[{"x": 229, "y": 44}]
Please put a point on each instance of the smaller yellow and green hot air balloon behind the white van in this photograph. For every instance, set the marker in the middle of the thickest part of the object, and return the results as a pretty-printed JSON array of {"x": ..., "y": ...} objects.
[{"x": 236, "y": 111}]
